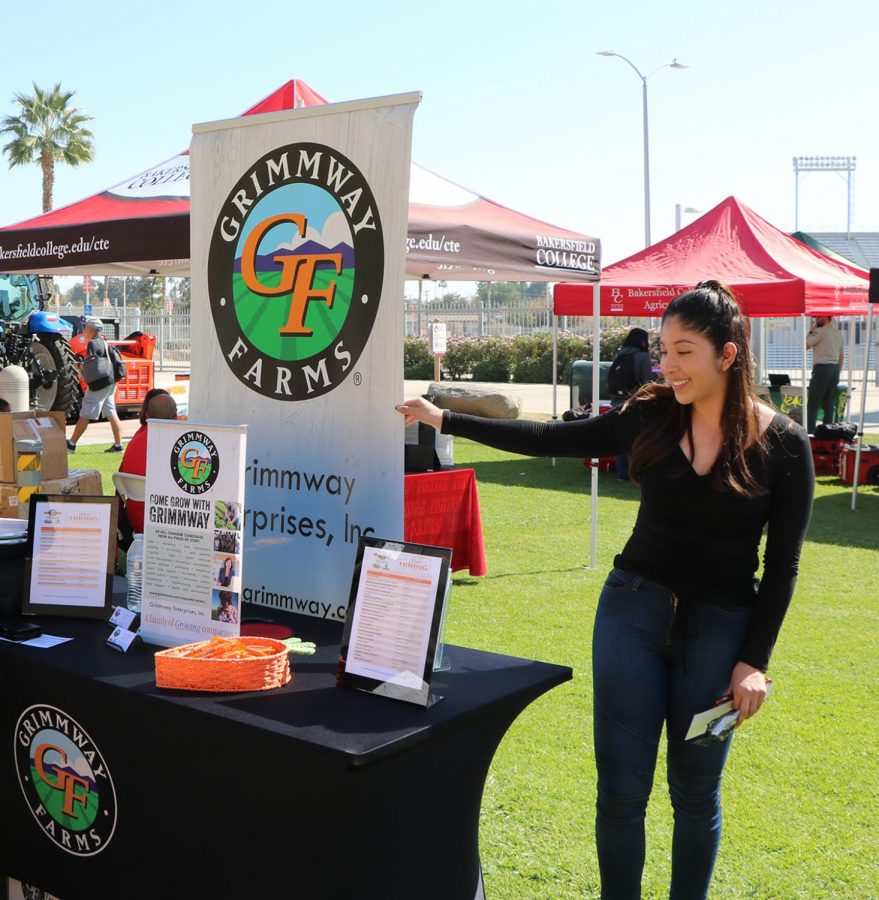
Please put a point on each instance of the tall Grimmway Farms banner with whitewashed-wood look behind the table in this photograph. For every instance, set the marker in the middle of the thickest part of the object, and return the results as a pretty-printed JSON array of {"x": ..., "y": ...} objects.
[{"x": 298, "y": 232}]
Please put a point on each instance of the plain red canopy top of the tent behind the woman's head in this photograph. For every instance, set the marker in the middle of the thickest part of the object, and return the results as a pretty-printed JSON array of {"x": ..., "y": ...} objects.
[{"x": 771, "y": 273}]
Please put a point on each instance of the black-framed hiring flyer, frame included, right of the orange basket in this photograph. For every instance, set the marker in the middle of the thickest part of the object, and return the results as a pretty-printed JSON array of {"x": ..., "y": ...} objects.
[{"x": 393, "y": 621}]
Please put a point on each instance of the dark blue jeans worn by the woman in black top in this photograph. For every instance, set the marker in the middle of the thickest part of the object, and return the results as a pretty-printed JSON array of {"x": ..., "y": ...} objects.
[{"x": 657, "y": 663}]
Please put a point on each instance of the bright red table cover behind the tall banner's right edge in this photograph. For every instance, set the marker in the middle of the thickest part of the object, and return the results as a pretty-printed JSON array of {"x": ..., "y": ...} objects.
[{"x": 442, "y": 509}]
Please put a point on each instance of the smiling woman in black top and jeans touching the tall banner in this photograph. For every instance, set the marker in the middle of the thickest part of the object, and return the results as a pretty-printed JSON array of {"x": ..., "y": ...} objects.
[{"x": 682, "y": 620}]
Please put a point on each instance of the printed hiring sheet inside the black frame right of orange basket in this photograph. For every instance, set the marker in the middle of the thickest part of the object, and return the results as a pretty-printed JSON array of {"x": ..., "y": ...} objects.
[{"x": 393, "y": 616}]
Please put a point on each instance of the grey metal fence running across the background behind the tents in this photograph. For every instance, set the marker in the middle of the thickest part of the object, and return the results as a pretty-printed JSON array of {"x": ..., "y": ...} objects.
[{"x": 782, "y": 337}]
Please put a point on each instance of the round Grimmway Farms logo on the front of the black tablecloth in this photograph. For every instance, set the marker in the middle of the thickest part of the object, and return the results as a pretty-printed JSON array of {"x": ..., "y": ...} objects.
[{"x": 65, "y": 780}]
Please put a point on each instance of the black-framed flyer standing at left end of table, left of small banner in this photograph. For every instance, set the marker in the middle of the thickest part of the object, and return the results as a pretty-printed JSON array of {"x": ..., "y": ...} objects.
[{"x": 71, "y": 549}]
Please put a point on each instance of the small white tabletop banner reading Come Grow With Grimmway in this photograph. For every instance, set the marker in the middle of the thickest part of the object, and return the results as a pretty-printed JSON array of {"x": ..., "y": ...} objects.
[{"x": 193, "y": 532}]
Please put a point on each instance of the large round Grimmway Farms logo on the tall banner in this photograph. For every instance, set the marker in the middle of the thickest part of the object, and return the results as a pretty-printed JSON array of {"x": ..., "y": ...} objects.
[{"x": 295, "y": 272}]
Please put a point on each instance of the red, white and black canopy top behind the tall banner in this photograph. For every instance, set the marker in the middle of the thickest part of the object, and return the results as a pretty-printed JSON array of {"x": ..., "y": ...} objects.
[{"x": 141, "y": 226}]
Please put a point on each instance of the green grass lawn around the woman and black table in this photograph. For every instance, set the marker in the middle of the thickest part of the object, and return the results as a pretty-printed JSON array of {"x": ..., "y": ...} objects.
[{"x": 801, "y": 785}]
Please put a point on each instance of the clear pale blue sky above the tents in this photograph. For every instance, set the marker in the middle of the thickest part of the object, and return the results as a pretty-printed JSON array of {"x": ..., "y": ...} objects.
[{"x": 516, "y": 105}]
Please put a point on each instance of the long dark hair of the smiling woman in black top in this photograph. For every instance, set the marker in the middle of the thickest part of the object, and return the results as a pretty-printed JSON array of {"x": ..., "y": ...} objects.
[{"x": 709, "y": 309}]
